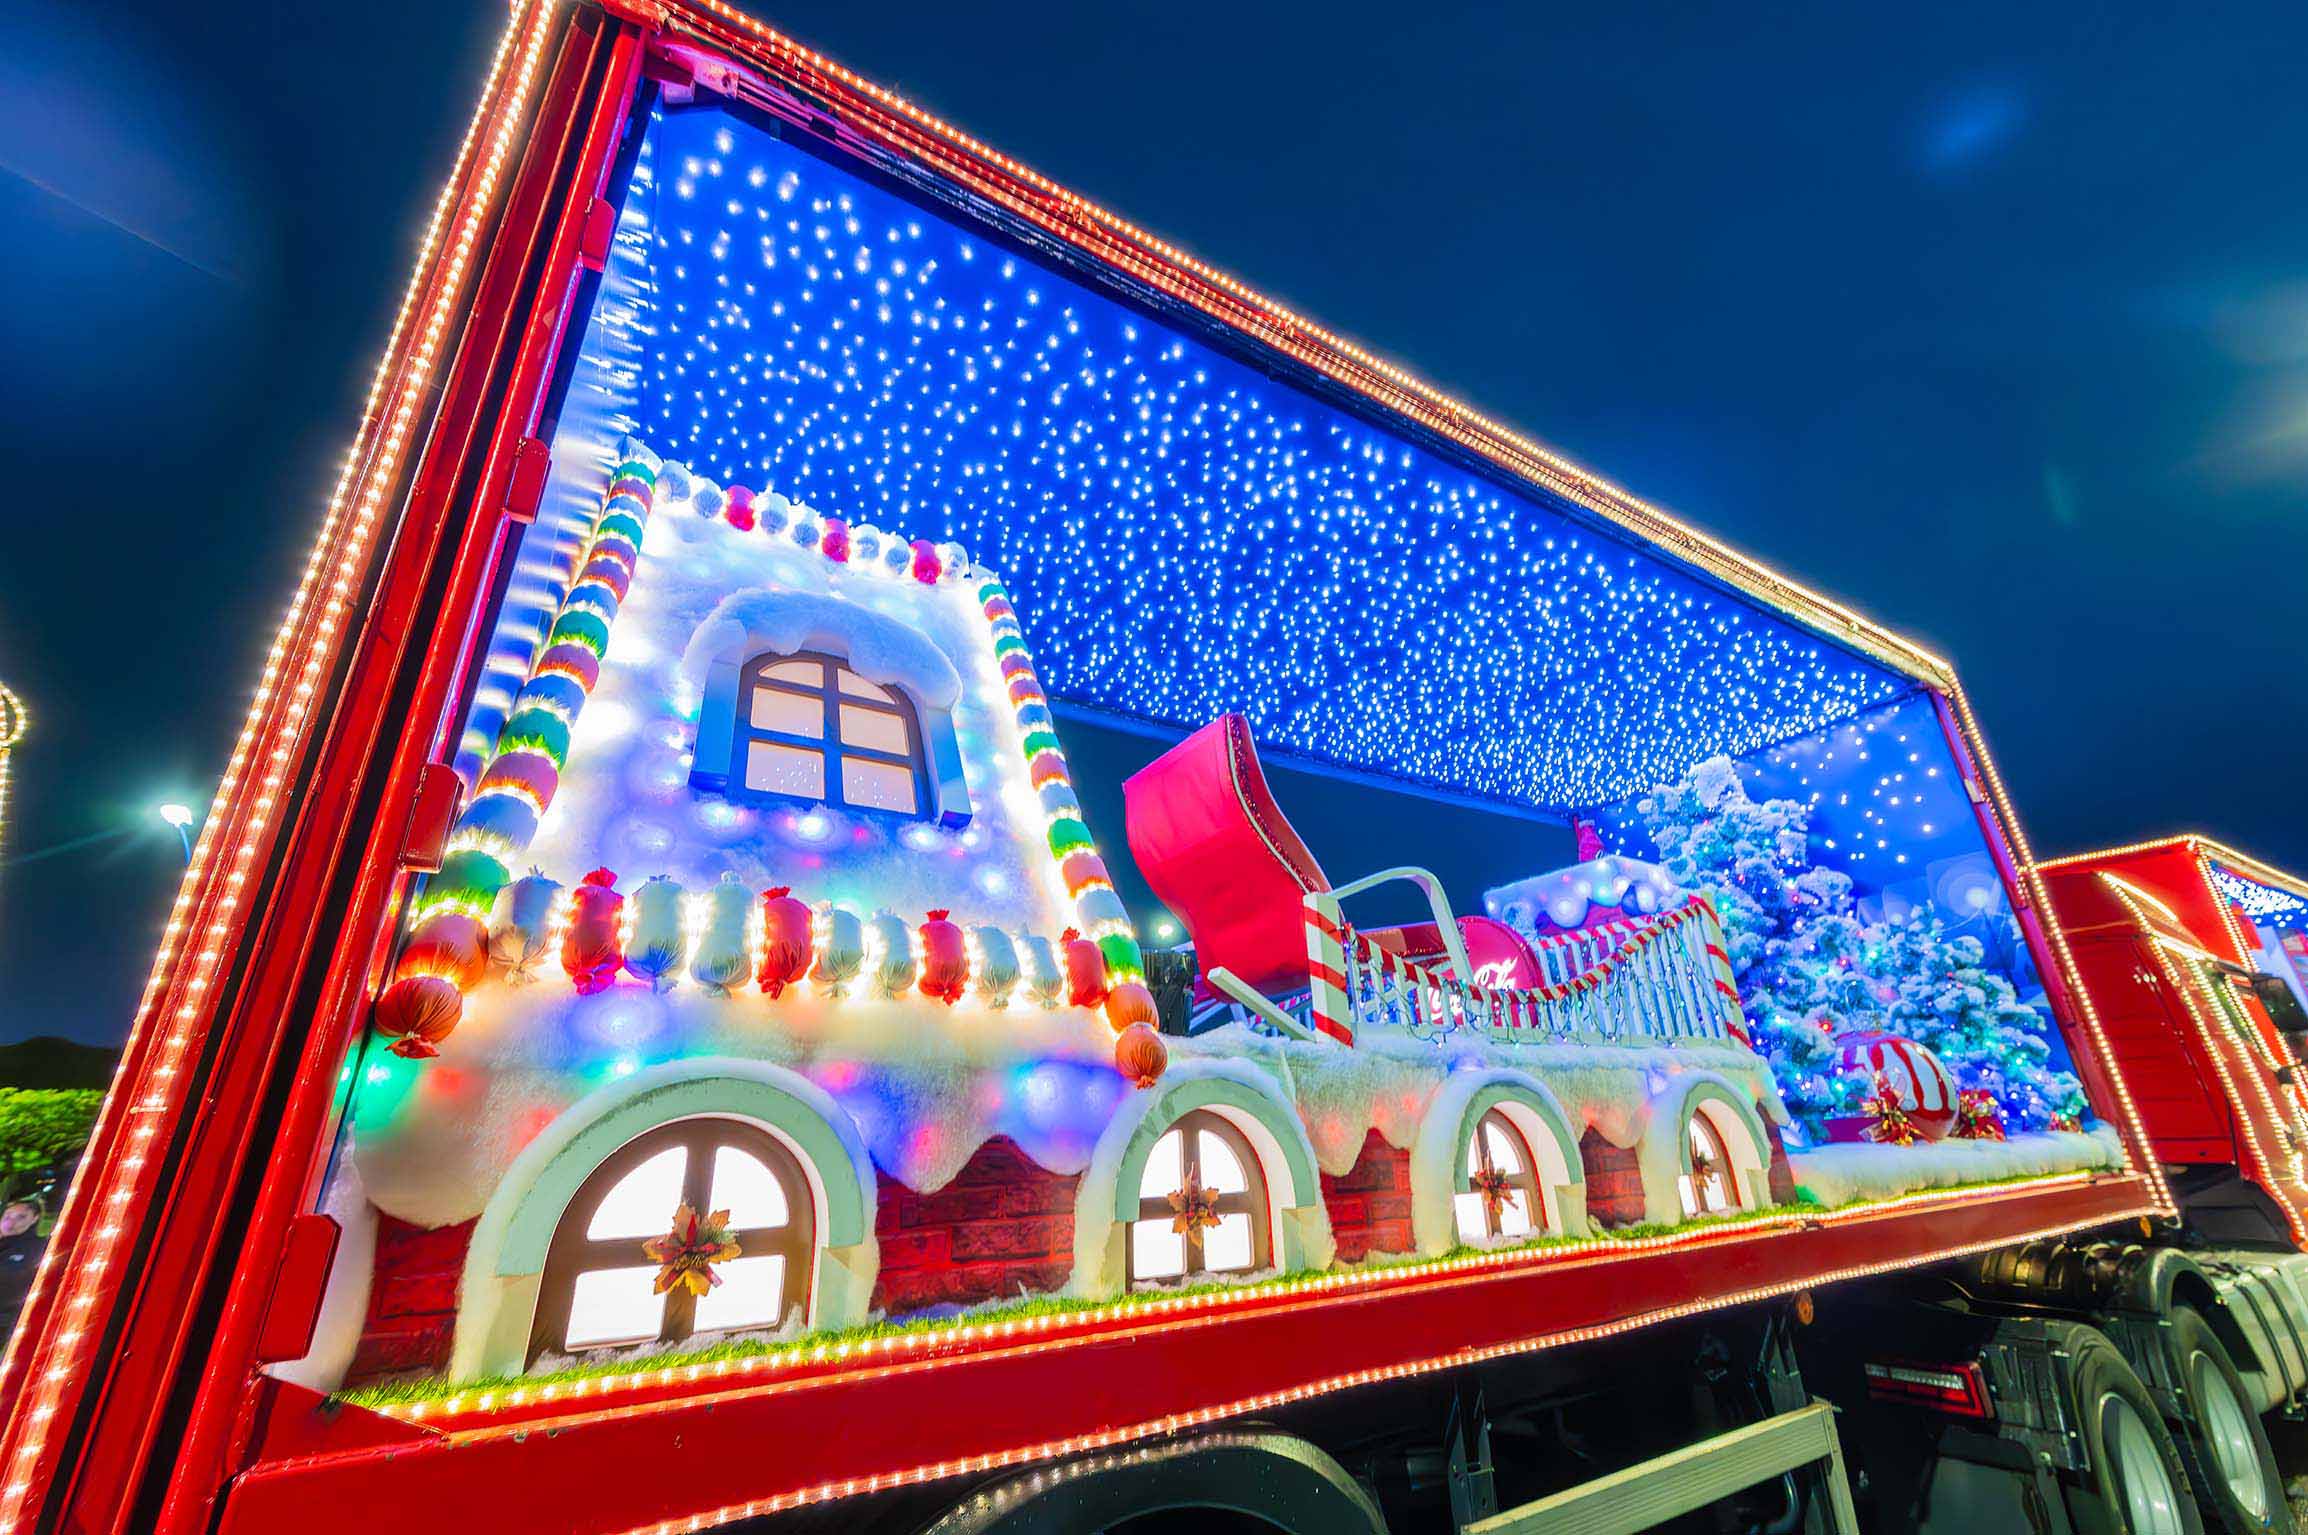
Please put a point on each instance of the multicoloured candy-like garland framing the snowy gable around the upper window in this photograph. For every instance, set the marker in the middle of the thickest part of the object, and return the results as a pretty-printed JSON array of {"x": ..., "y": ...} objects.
[{"x": 601, "y": 934}]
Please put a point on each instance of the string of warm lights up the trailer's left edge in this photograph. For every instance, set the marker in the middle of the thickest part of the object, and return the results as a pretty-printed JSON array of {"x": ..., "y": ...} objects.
[{"x": 269, "y": 742}]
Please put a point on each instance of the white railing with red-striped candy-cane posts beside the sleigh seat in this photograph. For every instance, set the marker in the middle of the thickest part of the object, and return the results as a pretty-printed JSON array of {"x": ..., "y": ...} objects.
[{"x": 1640, "y": 980}]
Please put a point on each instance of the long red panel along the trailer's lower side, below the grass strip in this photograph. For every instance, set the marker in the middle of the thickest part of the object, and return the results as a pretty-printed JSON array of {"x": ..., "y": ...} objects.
[{"x": 721, "y": 1455}]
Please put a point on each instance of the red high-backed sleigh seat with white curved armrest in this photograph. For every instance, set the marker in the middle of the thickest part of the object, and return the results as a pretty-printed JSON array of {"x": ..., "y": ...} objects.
[{"x": 1220, "y": 853}]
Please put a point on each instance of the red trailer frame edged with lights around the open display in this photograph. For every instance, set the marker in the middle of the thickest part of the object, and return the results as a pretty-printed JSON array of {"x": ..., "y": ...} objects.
[{"x": 186, "y": 1257}]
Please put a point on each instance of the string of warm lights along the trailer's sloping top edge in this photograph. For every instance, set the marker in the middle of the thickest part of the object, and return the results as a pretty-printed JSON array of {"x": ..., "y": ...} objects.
[{"x": 1155, "y": 262}]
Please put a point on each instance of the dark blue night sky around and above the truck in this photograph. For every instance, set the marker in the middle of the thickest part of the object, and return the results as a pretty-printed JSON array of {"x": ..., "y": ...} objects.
[{"x": 1986, "y": 320}]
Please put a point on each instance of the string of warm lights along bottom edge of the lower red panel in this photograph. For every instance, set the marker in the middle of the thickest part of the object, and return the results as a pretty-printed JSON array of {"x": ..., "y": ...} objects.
[{"x": 1174, "y": 1423}]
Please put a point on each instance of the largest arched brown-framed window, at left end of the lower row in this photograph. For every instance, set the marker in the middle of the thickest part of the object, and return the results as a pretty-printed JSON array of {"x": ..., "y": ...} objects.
[{"x": 599, "y": 1285}]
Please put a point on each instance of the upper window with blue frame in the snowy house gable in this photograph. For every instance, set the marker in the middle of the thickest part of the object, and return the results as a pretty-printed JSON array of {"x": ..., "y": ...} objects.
[{"x": 809, "y": 728}]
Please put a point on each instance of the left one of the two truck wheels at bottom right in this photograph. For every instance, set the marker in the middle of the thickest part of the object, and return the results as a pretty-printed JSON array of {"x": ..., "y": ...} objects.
[{"x": 2136, "y": 1481}]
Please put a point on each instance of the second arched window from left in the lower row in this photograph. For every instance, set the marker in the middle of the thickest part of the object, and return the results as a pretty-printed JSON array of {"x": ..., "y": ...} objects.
[{"x": 1201, "y": 1204}]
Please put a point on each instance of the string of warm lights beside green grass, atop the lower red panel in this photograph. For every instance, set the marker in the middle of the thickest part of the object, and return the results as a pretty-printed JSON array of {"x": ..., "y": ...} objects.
[{"x": 1204, "y": 1308}]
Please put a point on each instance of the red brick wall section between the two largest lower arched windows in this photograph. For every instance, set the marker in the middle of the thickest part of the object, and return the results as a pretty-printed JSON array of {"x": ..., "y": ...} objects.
[{"x": 998, "y": 1229}]
